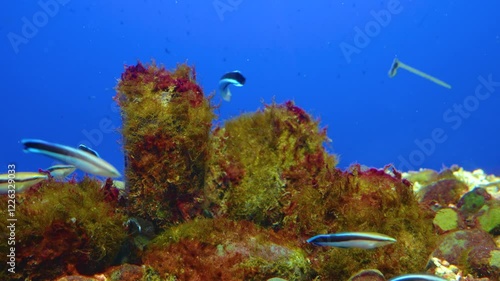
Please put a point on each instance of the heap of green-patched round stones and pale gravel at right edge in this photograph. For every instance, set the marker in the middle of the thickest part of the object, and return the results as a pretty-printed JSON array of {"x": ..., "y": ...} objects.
[{"x": 467, "y": 216}]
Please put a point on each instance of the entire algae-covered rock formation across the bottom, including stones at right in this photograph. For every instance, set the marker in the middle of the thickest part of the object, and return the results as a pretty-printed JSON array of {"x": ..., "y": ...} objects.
[{"x": 239, "y": 201}]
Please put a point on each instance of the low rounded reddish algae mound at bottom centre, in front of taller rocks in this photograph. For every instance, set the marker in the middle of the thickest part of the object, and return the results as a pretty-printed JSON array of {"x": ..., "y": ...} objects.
[{"x": 220, "y": 249}]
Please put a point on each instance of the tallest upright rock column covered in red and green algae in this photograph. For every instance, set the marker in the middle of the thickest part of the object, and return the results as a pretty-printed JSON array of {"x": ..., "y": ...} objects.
[{"x": 166, "y": 126}]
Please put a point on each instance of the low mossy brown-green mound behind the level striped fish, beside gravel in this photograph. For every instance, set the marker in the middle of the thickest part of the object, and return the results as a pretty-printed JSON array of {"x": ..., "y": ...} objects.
[{"x": 376, "y": 200}]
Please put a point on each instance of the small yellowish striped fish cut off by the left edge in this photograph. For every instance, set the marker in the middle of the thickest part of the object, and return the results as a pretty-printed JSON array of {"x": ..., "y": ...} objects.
[{"x": 21, "y": 181}]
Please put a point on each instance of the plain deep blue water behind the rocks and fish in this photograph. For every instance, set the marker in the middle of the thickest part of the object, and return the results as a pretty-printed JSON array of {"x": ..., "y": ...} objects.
[{"x": 58, "y": 85}]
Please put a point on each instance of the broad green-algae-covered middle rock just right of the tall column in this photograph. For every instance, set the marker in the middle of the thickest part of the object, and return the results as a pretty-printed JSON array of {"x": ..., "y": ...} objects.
[{"x": 250, "y": 156}]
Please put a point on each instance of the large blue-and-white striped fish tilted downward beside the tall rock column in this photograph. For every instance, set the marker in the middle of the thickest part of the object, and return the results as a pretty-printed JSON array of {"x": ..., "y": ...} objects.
[{"x": 82, "y": 160}]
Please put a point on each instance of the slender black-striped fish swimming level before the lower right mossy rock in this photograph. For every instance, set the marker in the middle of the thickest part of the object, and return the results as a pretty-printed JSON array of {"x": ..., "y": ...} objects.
[{"x": 362, "y": 240}]
